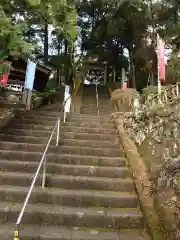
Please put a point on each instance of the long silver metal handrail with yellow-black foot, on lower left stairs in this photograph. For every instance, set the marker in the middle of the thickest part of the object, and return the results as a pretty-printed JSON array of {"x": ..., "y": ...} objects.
[{"x": 42, "y": 161}]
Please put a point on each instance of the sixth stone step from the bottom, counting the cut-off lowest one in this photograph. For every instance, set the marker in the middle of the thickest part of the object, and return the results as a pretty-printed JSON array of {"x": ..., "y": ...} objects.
[{"x": 63, "y": 158}]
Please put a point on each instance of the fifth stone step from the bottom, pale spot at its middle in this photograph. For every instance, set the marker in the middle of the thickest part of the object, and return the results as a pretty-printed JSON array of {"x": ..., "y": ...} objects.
[{"x": 66, "y": 169}]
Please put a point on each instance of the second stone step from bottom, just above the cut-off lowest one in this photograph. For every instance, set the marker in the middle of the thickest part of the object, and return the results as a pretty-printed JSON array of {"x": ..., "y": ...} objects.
[{"x": 48, "y": 215}]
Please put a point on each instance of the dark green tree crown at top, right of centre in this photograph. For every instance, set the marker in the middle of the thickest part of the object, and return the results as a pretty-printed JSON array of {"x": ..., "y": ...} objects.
[{"x": 112, "y": 27}]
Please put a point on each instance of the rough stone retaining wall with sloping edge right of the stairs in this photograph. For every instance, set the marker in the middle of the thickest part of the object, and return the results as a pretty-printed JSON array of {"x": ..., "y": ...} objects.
[{"x": 151, "y": 141}]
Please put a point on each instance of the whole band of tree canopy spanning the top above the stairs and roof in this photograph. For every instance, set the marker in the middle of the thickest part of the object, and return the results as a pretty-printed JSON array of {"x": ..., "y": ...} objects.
[{"x": 62, "y": 33}]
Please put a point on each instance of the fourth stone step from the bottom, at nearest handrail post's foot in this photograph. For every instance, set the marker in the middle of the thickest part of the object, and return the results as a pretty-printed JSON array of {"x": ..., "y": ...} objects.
[{"x": 69, "y": 182}]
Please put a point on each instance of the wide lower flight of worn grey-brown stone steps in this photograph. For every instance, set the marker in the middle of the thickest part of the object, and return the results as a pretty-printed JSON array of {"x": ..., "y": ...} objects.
[{"x": 89, "y": 191}]
